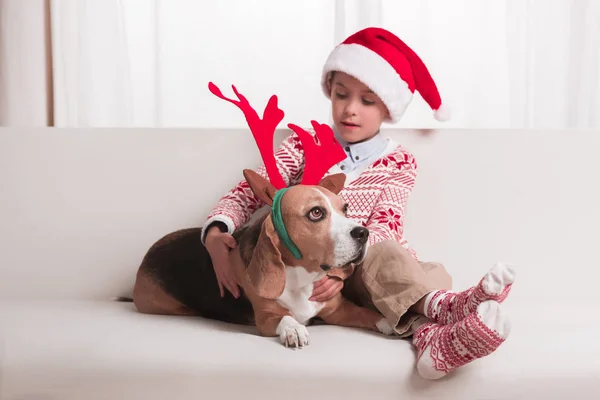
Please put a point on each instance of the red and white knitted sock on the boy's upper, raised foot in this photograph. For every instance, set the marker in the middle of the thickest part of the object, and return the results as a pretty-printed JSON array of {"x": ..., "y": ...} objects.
[{"x": 447, "y": 307}]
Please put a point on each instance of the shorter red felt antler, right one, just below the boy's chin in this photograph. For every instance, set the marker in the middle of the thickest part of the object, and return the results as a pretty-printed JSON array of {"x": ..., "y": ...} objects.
[{"x": 320, "y": 152}]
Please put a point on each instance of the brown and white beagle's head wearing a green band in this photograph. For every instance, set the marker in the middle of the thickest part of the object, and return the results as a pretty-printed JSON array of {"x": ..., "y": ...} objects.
[{"x": 320, "y": 236}]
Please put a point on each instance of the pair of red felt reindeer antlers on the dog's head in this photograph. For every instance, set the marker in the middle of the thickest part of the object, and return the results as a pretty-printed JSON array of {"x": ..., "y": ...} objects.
[{"x": 320, "y": 152}]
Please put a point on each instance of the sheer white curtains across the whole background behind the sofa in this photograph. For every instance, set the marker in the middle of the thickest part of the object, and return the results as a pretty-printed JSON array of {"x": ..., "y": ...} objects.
[{"x": 146, "y": 63}]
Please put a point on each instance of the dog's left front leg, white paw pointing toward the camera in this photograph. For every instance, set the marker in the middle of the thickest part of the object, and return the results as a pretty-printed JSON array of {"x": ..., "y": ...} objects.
[{"x": 291, "y": 333}]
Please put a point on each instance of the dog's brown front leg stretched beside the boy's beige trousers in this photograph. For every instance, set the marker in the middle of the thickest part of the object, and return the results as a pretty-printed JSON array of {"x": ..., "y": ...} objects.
[{"x": 341, "y": 311}]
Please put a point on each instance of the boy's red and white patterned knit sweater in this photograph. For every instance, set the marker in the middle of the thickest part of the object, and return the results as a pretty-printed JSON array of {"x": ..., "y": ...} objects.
[{"x": 376, "y": 198}]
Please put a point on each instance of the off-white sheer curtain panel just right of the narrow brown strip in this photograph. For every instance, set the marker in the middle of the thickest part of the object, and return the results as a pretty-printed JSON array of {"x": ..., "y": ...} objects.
[{"x": 90, "y": 60}]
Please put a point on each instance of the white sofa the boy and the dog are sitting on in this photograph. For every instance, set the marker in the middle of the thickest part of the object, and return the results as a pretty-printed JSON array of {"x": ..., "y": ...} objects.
[{"x": 79, "y": 208}]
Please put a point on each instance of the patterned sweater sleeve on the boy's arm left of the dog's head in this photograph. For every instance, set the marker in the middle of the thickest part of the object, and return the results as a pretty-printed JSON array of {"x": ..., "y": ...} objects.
[{"x": 236, "y": 207}]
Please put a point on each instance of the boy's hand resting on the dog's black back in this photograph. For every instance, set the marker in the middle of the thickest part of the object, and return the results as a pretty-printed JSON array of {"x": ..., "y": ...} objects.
[{"x": 218, "y": 245}]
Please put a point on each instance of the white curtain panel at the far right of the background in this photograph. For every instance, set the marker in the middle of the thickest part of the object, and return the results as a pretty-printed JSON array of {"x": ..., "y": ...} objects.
[{"x": 554, "y": 63}]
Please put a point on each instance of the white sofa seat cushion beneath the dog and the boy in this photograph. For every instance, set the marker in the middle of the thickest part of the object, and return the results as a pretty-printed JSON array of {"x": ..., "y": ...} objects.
[{"x": 106, "y": 350}]
